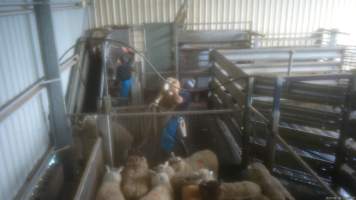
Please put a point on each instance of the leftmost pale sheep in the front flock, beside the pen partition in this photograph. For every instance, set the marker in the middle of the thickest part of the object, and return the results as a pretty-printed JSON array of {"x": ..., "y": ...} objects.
[{"x": 110, "y": 187}]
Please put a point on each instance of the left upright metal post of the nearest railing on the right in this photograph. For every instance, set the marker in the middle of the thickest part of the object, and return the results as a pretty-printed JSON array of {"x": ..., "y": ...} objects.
[{"x": 246, "y": 122}]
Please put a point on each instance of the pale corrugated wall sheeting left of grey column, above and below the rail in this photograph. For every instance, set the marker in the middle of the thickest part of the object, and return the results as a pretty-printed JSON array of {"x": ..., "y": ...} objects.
[{"x": 24, "y": 135}]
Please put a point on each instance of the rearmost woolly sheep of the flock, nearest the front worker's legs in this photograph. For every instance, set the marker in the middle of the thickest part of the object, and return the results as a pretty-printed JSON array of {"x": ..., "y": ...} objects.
[{"x": 201, "y": 159}]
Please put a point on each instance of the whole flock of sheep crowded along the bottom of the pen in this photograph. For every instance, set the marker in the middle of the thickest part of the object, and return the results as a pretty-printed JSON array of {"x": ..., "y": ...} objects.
[{"x": 192, "y": 178}]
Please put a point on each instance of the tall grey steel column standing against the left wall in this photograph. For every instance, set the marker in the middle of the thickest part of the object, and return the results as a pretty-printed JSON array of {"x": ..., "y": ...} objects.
[{"x": 61, "y": 130}]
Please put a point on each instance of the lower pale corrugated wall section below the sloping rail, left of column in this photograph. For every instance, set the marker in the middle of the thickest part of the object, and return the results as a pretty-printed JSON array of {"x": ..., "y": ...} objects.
[{"x": 23, "y": 141}]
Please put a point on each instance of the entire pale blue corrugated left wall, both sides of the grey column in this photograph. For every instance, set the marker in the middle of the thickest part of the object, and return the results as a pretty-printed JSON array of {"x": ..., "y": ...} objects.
[{"x": 24, "y": 134}]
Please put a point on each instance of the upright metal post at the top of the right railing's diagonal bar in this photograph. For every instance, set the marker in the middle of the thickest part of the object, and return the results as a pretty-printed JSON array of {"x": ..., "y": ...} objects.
[{"x": 274, "y": 129}]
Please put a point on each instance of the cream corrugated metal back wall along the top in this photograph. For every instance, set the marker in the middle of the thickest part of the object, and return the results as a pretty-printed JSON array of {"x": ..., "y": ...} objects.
[{"x": 267, "y": 16}]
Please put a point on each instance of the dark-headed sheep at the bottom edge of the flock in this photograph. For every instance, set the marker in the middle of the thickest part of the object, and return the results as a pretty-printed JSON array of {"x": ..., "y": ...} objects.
[{"x": 213, "y": 190}]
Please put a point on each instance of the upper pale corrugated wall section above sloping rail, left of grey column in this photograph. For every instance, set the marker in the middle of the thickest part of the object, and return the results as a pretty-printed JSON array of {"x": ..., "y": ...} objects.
[{"x": 19, "y": 66}]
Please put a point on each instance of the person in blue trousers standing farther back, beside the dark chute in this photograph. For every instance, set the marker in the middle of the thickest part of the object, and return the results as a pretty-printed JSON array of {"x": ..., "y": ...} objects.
[{"x": 124, "y": 71}]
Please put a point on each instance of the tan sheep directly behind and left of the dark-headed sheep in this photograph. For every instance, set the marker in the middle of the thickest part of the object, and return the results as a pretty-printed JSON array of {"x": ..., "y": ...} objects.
[{"x": 182, "y": 179}]
